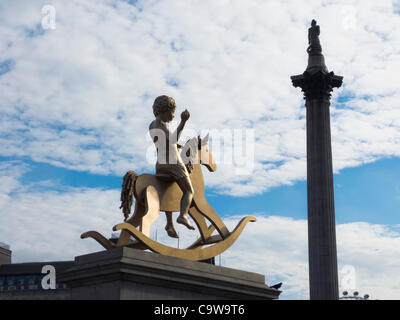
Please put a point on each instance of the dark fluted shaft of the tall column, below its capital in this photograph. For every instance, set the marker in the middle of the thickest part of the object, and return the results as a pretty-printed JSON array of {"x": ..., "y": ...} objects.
[{"x": 320, "y": 198}]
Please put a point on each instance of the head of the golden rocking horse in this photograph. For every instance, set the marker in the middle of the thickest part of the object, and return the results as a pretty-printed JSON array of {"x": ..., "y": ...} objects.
[{"x": 197, "y": 151}]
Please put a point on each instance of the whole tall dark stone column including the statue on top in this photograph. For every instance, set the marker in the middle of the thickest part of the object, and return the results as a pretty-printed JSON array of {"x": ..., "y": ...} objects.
[{"x": 317, "y": 84}]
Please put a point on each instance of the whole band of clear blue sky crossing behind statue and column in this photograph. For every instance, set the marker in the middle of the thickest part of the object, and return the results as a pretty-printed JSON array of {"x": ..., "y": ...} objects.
[{"x": 369, "y": 193}]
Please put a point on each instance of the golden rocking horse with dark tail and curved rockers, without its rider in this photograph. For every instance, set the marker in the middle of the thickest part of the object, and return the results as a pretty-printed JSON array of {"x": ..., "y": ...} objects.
[{"x": 155, "y": 193}]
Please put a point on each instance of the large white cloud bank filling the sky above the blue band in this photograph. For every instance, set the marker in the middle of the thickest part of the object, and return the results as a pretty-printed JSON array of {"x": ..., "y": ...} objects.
[{"x": 80, "y": 96}]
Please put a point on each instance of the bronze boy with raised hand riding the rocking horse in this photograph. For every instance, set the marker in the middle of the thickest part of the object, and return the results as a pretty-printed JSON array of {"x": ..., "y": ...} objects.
[{"x": 169, "y": 160}]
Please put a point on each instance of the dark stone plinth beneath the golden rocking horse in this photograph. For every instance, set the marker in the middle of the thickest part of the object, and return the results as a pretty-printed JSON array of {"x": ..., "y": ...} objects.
[{"x": 125, "y": 273}]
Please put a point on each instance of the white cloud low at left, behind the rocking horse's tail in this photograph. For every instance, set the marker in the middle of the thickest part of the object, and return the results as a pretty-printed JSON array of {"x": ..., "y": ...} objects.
[{"x": 43, "y": 226}]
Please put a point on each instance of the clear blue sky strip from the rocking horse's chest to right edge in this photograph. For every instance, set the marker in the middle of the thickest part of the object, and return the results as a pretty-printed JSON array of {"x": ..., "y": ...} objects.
[{"x": 369, "y": 193}]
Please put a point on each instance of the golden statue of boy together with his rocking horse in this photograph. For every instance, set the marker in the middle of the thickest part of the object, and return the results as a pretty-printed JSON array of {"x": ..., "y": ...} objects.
[{"x": 177, "y": 186}]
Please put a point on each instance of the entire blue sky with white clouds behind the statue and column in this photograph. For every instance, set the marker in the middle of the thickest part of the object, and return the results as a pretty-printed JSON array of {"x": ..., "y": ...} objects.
[{"x": 75, "y": 104}]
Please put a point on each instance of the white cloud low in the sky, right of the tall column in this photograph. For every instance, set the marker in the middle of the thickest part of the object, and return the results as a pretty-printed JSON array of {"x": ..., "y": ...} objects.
[{"x": 373, "y": 250}]
